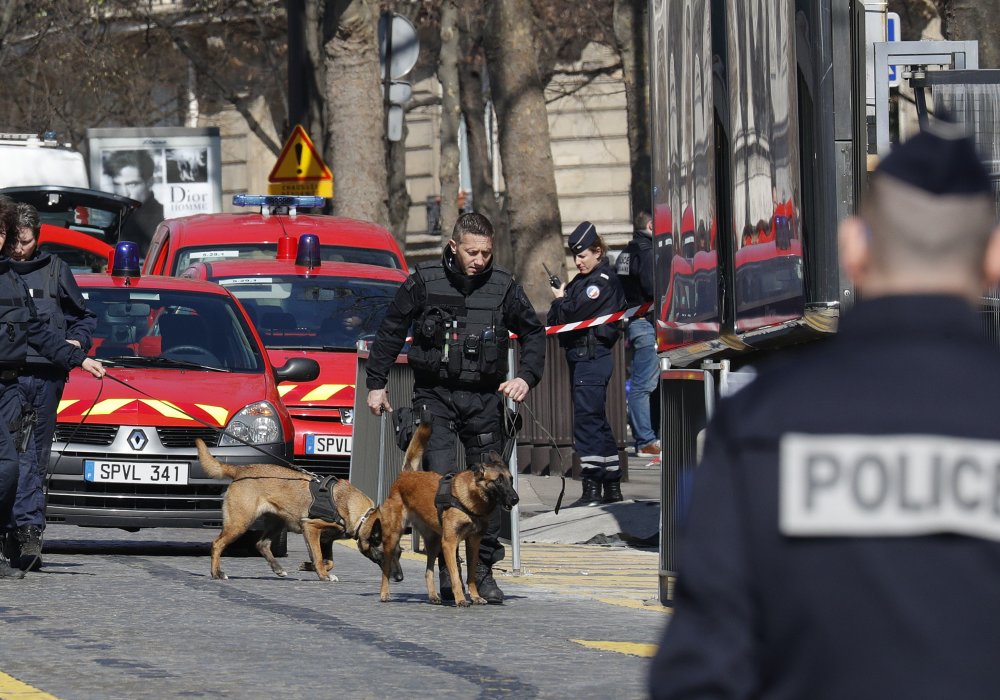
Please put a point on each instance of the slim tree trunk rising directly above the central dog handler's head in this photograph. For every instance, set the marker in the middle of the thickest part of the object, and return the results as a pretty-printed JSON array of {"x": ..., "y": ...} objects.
[{"x": 450, "y": 116}]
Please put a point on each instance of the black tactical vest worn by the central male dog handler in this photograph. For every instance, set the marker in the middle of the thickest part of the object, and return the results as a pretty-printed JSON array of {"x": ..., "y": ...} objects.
[{"x": 461, "y": 338}]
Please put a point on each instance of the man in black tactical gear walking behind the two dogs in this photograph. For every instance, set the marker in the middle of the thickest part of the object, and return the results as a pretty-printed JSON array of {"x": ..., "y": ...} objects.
[{"x": 461, "y": 310}]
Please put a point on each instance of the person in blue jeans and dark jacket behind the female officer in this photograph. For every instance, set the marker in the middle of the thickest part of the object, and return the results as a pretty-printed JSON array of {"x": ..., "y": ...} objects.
[{"x": 635, "y": 270}]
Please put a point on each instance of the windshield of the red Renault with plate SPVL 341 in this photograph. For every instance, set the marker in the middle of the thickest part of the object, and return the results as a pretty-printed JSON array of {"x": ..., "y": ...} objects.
[{"x": 167, "y": 328}]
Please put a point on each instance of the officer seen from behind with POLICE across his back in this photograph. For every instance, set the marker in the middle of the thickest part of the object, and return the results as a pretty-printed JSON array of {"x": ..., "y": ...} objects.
[{"x": 844, "y": 531}]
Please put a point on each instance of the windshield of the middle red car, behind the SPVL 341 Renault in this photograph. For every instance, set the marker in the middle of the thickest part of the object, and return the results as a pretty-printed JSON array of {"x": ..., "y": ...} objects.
[{"x": 313, "y": 312}]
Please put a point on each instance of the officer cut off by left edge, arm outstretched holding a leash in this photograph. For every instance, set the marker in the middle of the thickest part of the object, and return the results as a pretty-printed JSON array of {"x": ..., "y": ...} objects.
[{"x": 22, "y": 329}]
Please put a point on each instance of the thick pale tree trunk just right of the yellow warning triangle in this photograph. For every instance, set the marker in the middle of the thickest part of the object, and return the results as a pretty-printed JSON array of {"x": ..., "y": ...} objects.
[{"x": 355, "y": 115}]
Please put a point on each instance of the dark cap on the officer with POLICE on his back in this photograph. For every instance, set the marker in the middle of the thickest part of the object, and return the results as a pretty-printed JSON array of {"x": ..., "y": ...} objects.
[{"x": 941, "y": 160}]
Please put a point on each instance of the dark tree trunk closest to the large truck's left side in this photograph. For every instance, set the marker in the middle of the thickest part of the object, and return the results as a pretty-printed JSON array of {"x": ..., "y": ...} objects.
[{"x": 630, "y": 37}]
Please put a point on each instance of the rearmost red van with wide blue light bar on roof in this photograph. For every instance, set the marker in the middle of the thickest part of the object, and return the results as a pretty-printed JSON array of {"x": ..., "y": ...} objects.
[{"x": 181, "y": 242}]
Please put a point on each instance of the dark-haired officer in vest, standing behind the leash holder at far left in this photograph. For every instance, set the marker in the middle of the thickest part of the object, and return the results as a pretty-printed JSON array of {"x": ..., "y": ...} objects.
[{"x": 60, "y": 303}]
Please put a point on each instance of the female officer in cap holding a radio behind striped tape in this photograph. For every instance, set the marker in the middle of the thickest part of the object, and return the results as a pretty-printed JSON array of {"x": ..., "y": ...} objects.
[{"x": 595, "y": 291}]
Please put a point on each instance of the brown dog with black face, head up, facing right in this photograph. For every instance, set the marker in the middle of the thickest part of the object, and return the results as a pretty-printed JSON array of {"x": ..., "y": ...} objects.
[{"x": 474, "y": 494}]
